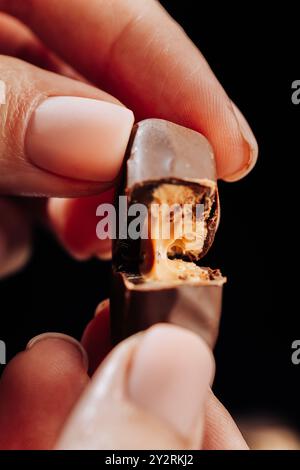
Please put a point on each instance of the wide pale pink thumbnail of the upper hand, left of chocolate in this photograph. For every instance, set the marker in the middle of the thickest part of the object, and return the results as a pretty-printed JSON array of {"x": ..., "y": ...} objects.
[{"x": 79, "y": 138}]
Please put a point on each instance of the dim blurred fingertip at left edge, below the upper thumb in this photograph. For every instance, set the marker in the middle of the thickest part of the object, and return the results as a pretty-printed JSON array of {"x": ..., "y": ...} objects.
[{"x": 15, "y": 238}]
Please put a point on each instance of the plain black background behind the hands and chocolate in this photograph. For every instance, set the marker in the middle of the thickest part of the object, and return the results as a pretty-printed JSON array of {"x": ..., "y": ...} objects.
[{"x": 255, "y": 58}]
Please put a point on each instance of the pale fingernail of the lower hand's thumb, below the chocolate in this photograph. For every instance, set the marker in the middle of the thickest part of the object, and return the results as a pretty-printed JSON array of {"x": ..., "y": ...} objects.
[{"x": 170, "y": 376}]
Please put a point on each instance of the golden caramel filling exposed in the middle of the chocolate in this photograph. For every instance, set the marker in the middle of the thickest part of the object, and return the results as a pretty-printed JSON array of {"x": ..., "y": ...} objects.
[{"x": 176, "y": 235}]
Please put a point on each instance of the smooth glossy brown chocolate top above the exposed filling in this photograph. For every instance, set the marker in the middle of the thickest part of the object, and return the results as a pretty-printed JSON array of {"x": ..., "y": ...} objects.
[{"x": 161, "y": 149}]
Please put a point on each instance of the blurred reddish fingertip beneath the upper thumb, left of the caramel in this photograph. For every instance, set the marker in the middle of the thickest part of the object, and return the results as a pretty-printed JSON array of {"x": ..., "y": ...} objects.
[{"x": 74, "y": 221}]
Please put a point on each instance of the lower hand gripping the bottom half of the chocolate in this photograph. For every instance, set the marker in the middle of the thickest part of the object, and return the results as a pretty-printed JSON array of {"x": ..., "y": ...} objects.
[{"x": 151, "y": 392}]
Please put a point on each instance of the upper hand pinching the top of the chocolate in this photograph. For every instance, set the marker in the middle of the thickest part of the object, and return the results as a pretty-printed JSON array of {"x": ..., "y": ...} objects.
[{"x": 62, "y": 137}]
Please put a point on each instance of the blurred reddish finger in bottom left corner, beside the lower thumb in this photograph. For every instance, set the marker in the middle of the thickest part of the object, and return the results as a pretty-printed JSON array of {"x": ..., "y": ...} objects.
[{"x": 38, "y": 389}]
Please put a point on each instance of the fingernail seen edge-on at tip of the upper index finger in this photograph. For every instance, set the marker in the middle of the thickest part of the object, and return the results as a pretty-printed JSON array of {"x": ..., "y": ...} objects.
[{"x": 251, "y": 145}]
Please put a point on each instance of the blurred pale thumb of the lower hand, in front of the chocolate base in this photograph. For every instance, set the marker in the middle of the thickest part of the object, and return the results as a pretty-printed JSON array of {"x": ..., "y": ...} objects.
[{"x": 149, "y": 393}]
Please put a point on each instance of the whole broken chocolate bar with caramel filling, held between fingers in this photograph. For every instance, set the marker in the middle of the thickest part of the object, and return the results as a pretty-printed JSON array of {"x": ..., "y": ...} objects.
[{"x": 157, "y": 277}]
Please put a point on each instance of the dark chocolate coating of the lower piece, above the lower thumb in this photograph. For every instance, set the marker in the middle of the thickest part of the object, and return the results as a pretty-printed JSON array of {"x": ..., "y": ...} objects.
[{"x": 196, "y": 307}]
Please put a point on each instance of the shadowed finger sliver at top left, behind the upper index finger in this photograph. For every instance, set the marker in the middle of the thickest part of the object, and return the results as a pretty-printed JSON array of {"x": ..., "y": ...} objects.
[{"x": 18, "y": 41}]
